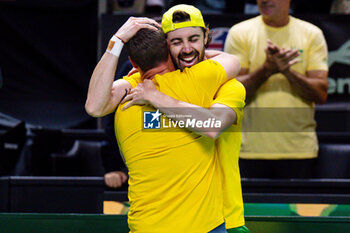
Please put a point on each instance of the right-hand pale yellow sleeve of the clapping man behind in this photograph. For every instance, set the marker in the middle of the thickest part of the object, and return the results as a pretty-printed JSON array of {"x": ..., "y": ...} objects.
[{"x": 318, "y": 53}]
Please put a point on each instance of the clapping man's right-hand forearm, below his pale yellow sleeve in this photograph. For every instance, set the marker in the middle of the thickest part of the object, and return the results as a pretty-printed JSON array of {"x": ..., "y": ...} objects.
[{"x": 311, "y": 89}]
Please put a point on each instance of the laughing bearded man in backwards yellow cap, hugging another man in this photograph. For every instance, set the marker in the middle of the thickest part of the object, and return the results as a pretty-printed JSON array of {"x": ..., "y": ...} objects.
[{"x": 187, "y": 38}]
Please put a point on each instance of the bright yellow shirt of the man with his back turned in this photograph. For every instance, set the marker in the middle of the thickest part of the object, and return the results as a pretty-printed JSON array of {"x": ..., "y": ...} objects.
[{"x": 174, "y": 185}]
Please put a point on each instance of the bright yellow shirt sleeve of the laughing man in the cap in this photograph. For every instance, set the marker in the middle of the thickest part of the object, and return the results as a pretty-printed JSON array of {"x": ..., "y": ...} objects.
[{"x": 232, "y": 94}]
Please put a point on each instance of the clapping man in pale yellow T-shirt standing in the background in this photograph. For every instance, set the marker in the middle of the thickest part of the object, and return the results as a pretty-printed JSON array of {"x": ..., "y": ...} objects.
[{"x": 284, "y": 71}]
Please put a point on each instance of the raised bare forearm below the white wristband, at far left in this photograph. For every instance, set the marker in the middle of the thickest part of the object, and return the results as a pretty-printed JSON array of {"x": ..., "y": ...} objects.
[{"x": 99, "y": 96}]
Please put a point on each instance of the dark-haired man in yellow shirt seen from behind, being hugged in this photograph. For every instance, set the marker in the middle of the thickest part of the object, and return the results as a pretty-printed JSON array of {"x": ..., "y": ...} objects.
[{"x": 174, "y": 184}]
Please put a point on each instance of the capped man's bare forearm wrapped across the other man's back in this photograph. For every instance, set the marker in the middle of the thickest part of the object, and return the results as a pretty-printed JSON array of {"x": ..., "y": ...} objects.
[{"x": 179, "y": 110}]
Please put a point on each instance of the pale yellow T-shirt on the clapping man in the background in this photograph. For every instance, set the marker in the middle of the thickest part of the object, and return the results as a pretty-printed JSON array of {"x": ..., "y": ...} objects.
[{"x": 278, "y": 123}]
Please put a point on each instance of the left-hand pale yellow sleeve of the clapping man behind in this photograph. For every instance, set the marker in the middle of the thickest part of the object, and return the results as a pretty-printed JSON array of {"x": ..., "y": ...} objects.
[{"x": 237, "y": 44}]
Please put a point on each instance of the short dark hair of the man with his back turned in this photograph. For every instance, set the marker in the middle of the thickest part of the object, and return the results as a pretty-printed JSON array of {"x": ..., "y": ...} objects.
[{"x": 148, "y": 48}]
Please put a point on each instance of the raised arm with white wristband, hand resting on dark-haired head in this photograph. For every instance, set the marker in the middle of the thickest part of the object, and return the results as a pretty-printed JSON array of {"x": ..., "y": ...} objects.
[{"x": 104, "y": 95}]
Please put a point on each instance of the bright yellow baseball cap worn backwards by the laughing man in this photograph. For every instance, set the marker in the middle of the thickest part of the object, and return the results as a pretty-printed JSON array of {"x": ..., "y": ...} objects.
[{"x": 196, "y": 18}]
